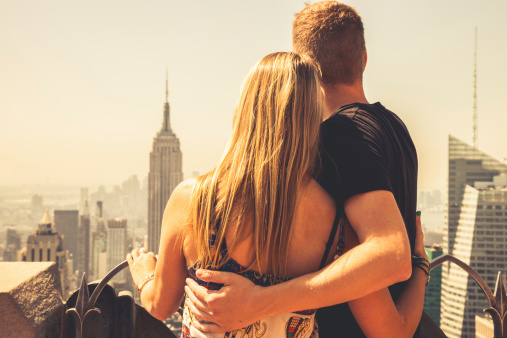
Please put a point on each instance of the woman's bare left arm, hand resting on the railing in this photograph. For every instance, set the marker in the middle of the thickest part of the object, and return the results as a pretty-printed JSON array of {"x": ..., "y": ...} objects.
[{"x": 162, "y": 296}]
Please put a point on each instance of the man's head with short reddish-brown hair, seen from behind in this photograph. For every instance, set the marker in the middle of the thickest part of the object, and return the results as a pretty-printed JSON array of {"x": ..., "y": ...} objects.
[{"x": 332, "y": 34}]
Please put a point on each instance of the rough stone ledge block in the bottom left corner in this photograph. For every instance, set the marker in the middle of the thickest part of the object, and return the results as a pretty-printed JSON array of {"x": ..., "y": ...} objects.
[{"x": 30, "y": 299}]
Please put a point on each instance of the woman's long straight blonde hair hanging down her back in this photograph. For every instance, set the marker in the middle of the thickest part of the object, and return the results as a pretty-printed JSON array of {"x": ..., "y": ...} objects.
[{"x": 272, "y": 147}]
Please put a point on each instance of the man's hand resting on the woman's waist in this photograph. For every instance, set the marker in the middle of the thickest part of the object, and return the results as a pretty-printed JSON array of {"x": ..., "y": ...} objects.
[{"x": 236, "y": 305}]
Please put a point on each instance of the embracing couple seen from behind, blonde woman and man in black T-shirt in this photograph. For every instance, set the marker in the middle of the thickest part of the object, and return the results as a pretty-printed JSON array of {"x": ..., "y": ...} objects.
[{"x": 261, "y": 214}]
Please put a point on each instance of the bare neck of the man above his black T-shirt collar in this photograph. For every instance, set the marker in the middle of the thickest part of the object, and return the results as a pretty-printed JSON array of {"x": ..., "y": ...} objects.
[{"x": 338, "y": 95}]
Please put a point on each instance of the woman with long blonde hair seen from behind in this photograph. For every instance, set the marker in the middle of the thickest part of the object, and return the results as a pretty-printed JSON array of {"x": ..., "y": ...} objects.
[{"x": 256, "y": 212}]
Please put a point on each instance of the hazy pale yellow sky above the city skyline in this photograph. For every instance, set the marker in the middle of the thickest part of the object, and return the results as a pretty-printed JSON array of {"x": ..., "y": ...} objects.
[{"x": 82, "y": 84}]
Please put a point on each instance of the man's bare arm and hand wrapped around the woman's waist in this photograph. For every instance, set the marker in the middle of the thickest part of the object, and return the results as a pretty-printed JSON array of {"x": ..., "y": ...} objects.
[{"x": 381, "y": 259}]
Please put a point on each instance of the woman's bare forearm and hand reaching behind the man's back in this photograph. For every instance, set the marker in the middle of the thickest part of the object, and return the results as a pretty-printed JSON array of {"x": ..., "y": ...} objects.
[{"x": 379, "y": 316}]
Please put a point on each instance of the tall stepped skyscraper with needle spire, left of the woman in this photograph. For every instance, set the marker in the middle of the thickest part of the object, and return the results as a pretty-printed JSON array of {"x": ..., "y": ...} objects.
[{"x": 165, "y": 174}]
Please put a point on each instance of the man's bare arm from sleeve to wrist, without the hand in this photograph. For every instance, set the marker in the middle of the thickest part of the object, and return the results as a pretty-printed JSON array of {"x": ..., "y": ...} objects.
[{"x": 382, "y": 258}]
